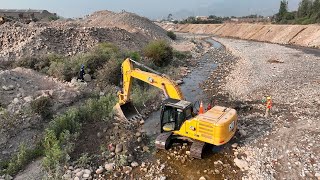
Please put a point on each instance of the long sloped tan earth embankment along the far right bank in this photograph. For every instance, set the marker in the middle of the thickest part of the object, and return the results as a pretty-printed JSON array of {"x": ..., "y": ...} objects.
[{"x": 301, "y": 35}]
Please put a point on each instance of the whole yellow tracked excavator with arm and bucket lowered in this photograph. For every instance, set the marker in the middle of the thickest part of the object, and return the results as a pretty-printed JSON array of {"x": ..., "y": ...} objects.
[{"x": 178, "y": 119}]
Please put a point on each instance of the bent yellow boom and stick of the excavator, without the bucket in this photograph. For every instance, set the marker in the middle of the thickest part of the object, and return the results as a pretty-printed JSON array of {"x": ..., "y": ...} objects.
[{"x": 154, "y": 78}]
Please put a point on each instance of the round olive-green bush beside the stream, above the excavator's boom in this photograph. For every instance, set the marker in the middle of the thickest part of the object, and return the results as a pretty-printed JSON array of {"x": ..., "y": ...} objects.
[{"x": 160, "y": 52}]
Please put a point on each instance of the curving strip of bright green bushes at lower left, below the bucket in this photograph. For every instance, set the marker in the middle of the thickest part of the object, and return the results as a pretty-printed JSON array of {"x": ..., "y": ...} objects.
[{"x": 65, "y": 129}]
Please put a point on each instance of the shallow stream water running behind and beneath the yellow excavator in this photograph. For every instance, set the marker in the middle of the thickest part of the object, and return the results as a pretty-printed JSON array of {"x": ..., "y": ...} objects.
[{"x": 208, "y": 167}]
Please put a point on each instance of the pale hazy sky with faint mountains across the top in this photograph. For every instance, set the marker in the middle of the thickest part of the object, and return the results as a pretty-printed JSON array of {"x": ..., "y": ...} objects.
[{"x": 153, "y": 8}]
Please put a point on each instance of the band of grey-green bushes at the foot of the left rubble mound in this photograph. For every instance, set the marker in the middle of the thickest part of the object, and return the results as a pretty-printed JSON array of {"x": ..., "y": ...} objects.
[{"x": 66, "y": 68}]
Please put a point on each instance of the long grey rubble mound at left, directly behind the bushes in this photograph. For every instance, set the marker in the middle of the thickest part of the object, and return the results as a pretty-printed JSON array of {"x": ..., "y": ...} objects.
[{"x": 19, "y": 40}]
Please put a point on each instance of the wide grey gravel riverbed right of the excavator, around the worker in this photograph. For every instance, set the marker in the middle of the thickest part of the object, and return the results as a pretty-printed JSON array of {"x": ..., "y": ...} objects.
[{"x": 286, "y": 144}]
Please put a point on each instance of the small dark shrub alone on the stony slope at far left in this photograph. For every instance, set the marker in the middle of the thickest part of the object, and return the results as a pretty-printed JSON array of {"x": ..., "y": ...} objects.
[{"x": 42, "y": 106}]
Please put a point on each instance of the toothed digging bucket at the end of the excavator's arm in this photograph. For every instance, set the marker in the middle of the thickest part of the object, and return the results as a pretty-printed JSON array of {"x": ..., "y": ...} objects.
[{"x": 127, "y": 111}]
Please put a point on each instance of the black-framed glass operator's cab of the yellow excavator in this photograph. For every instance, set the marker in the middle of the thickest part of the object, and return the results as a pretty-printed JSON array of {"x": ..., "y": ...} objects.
[{"x": 174, "y": 113}]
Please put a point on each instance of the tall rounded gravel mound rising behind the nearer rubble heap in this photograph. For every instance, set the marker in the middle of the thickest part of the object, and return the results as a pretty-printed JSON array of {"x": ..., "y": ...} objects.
[{"x": 128, "y": 21}]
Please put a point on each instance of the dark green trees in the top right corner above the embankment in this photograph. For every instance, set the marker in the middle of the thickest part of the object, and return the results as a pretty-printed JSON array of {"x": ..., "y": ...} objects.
[{"x": 308, "y": 13}]
